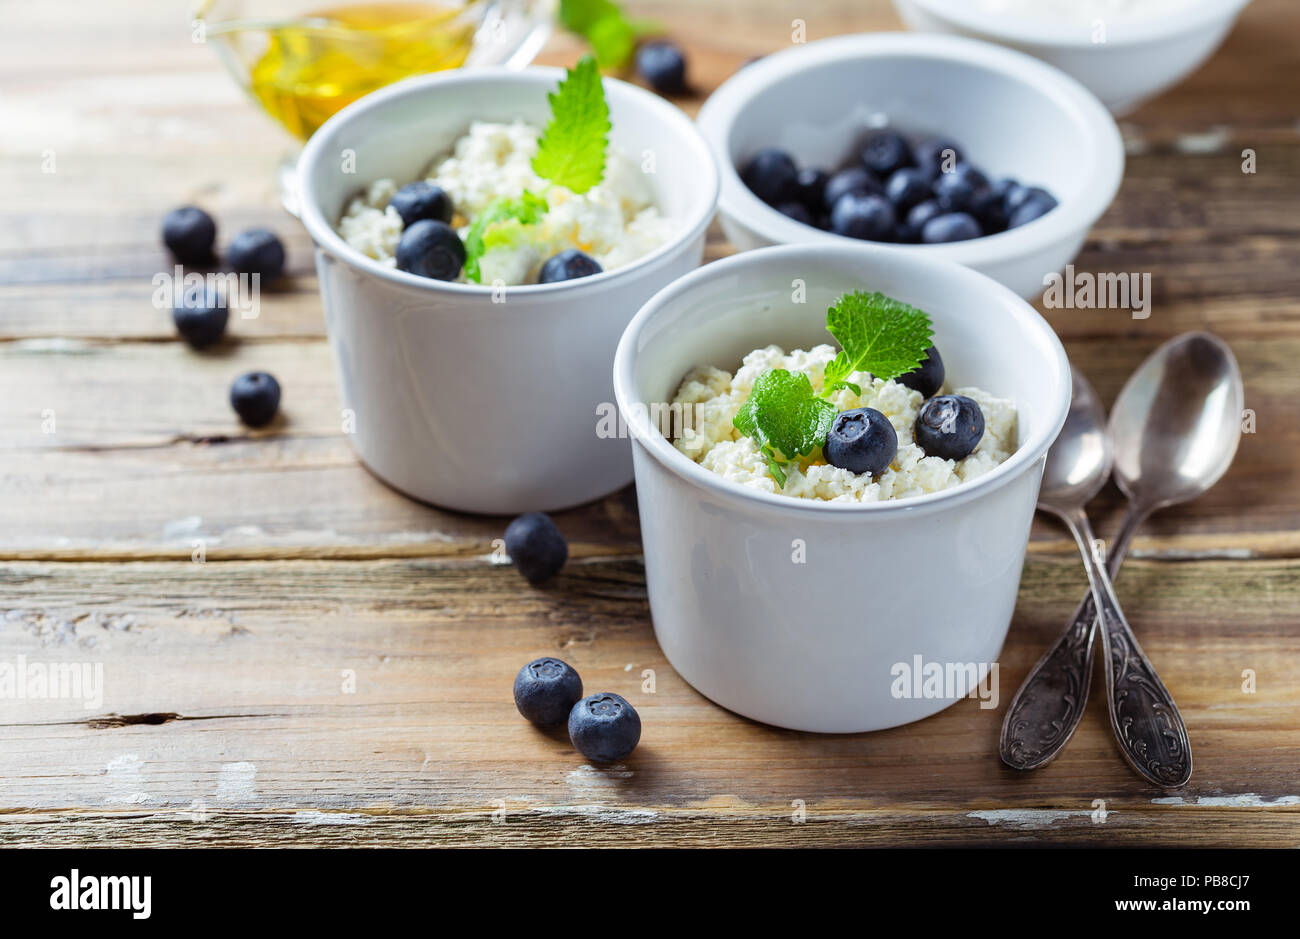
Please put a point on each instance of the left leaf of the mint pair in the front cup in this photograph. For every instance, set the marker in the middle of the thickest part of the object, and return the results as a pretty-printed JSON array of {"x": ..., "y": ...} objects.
[{"x": 786, "y": 418}]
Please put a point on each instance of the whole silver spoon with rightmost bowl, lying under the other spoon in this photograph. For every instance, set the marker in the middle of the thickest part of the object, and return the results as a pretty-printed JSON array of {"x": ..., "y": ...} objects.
[{"x": 1176, "y": 427}]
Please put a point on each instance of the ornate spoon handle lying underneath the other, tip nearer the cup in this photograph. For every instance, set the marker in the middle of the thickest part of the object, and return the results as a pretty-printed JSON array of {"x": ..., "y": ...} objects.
[{"x": 1050, "y": 704}]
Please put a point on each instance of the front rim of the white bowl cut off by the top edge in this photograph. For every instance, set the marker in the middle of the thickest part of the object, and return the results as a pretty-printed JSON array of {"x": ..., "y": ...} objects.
[{"x": 1012, "y": 28}]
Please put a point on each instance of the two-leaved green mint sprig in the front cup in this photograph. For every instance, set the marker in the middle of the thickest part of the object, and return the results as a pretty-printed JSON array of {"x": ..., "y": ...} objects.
[{"x": 877, "y": 335}]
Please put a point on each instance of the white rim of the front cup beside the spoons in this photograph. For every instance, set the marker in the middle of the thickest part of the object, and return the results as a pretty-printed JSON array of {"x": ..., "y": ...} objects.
[{"x": 677, "y": 462}]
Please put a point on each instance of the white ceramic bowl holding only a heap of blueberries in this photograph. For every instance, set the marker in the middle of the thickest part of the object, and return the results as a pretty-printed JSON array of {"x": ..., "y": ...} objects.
[{"x": 1011, "y": 114}]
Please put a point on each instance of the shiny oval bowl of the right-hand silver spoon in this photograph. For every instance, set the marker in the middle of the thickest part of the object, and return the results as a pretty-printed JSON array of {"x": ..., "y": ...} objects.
[{"x": 1177, "y": 422}]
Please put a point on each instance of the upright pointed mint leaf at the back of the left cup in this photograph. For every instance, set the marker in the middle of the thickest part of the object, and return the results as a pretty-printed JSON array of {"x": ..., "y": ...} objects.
[{"x": 571, "y": 153}]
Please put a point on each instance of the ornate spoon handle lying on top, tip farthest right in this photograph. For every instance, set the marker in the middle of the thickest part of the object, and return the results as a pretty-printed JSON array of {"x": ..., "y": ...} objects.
[{"x": 1143, "y": 715}]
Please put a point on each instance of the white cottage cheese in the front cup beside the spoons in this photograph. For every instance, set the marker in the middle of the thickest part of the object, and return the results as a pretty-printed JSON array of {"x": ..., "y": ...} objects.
[{"x": 710, "y": 399}]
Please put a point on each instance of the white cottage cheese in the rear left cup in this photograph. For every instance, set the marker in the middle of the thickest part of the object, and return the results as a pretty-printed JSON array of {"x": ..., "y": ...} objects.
[{"x": 616, "y": 223}]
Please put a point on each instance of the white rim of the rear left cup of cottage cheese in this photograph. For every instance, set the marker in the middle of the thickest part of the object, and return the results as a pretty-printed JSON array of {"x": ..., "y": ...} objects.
[{"x": 536, "y": 77}]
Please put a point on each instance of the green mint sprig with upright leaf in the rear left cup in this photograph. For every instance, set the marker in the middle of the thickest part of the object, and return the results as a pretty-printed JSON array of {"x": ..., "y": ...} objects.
[{"x": 570, "y": 154}]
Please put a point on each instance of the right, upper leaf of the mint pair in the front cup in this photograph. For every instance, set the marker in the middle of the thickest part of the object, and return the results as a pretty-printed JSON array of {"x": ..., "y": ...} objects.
[{"x": 877, "y": 335}]
